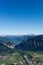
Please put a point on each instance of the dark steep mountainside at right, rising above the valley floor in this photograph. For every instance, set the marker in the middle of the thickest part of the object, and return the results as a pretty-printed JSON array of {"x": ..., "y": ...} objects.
[{"x": 33, "y": 44}]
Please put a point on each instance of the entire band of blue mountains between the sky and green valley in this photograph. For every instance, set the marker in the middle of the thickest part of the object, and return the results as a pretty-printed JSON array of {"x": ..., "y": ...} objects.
[{"x": 24, "y": 42}]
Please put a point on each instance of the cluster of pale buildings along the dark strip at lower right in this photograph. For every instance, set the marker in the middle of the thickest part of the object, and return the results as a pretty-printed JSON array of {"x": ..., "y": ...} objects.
[{"x": 28, "y": 62}]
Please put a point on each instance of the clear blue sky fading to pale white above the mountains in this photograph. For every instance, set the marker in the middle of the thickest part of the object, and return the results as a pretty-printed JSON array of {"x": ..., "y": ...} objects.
[{"x": 20, "y": 17}]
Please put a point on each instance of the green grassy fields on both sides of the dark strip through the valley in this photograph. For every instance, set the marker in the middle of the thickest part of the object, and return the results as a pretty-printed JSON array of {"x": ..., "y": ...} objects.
[{"x": 16, "y": 57}]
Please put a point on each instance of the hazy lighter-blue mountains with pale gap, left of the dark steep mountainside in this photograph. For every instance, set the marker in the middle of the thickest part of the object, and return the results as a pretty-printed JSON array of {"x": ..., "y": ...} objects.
[{"x": 7, "y": 43}]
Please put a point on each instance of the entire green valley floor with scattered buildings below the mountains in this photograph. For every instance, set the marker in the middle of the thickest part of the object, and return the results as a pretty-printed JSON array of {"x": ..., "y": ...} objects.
[{"x": 22, "y": 58}]
